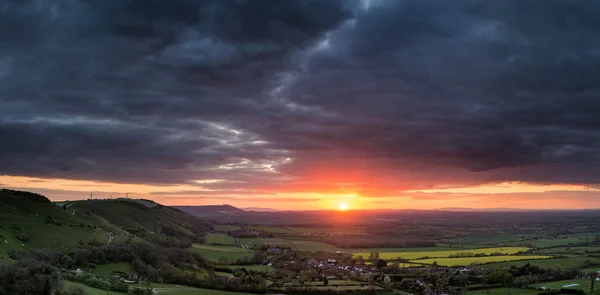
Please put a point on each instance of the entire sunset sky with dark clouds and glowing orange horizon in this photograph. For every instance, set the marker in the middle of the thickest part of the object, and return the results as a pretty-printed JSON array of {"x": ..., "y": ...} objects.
[{"x": 303, "y": 104}]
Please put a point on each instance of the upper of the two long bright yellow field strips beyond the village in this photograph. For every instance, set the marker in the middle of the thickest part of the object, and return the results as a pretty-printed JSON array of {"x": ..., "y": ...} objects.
[{"x": 420, "y": 254}]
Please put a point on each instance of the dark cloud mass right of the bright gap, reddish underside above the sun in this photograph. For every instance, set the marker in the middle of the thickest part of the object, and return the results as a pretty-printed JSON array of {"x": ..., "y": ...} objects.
[{"x": 484, "y": 86}]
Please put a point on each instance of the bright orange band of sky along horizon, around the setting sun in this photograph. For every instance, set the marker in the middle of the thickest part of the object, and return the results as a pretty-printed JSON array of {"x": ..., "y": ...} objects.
[{"x": 313, "y": 196}]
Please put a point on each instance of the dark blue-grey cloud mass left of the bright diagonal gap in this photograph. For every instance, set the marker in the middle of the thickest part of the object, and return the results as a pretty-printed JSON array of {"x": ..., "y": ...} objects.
[{"x": 131, "y": 90}]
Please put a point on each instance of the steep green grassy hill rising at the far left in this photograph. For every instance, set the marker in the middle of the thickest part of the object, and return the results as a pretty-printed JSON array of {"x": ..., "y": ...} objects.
[{"x": 29, "y": 220}]
